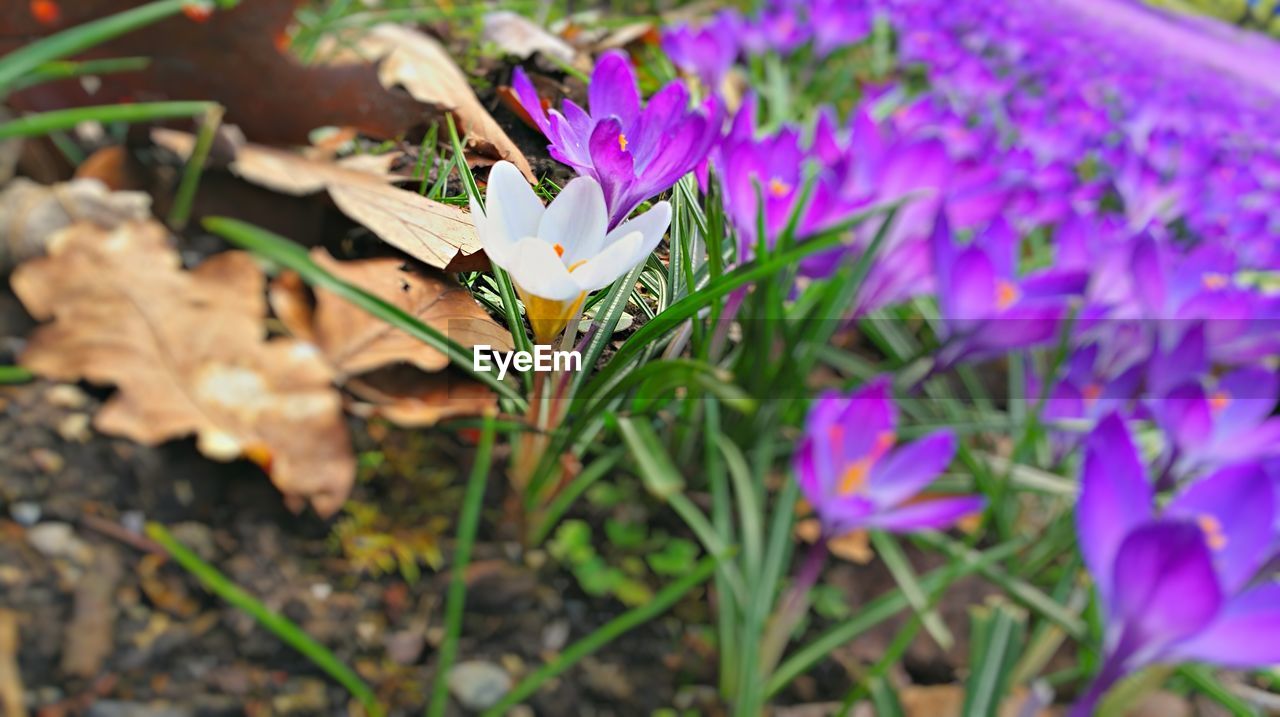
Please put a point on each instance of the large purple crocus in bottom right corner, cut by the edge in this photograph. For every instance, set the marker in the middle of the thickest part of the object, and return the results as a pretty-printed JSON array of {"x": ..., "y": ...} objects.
[{"x": 1178, "y": 584}]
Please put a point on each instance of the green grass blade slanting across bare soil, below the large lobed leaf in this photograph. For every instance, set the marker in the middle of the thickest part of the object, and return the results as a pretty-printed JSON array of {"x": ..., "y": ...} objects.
[{"x": 280, "y": 625}]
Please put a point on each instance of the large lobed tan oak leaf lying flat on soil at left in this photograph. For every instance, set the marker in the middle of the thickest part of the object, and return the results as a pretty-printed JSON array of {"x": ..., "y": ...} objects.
[{"x": 188, "y": 353}]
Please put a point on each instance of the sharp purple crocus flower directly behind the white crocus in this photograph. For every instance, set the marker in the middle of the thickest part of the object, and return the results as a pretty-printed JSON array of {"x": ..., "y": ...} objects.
[{"x": 634, "y": 152}]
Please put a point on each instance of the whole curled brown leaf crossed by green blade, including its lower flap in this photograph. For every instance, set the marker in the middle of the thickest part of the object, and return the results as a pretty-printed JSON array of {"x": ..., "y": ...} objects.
[{"x": 403, "y": 380}]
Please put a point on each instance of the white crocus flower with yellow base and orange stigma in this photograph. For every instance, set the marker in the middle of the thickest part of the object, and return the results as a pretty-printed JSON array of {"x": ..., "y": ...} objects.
[{"x": 559, "y": 254}]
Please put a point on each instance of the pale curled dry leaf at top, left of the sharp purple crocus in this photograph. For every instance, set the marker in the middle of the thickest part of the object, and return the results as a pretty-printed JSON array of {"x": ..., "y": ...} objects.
[{"x": 423, "y": 67}]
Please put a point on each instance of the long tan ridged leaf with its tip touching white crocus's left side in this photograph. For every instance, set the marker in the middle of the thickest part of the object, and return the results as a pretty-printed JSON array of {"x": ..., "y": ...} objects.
[{"x": 436, "y": 234}]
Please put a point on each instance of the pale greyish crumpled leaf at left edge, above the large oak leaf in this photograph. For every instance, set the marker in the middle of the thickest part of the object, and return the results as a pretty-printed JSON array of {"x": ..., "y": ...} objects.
[{"x": 31, "y": 213}]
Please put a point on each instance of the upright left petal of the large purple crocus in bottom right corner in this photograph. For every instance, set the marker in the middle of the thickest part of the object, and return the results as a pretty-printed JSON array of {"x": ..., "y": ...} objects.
[{"x": 1116, "y": 496}]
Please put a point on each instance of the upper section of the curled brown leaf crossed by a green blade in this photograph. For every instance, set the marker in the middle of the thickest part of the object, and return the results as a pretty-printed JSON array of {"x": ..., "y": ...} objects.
[{"x": 355, "y": 341}]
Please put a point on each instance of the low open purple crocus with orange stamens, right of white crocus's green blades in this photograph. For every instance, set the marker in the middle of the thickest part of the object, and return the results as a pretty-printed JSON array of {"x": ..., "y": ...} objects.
[{"x": 853, "y": 477}]
